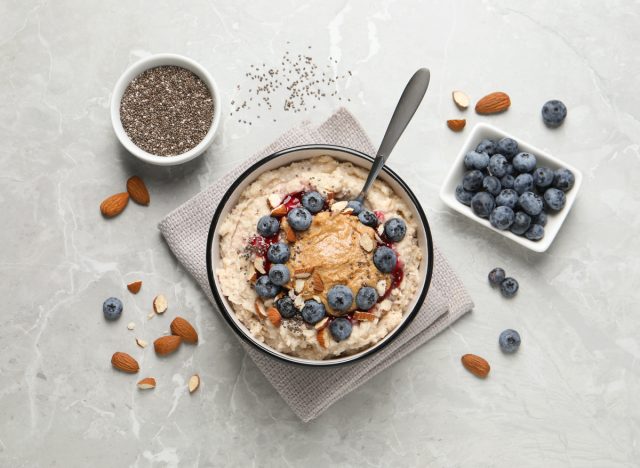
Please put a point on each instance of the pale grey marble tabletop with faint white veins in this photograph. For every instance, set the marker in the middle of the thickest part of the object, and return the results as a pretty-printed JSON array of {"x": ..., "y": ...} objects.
[{"x": 568, "y": 398}]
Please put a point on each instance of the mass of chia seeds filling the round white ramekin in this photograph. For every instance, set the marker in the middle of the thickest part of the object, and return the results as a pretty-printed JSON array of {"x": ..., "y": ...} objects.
[{"x": 166, "y": 110}]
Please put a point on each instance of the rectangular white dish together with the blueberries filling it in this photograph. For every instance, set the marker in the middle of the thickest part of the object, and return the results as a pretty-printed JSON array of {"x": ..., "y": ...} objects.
[{"x": 511, "y": 187}]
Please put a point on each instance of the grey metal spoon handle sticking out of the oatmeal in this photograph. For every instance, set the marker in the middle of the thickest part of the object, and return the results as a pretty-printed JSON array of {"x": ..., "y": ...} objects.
[{"x": 407, "y": 106}]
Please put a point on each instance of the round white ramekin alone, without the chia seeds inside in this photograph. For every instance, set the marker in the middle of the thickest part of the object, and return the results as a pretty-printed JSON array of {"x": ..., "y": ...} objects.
[{"x": 153, "y": 61}]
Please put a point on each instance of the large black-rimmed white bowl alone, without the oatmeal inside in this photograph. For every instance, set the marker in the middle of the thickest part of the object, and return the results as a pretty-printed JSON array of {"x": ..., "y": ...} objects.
[{"x": 283, "y": 158}]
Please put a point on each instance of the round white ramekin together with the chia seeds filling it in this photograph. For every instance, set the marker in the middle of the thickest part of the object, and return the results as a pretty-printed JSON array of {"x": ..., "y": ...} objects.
[{"x": 165, "y": 109}]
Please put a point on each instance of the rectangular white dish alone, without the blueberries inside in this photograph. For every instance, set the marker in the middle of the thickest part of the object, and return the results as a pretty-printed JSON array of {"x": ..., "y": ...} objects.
[{"x": 454, "y": 178}]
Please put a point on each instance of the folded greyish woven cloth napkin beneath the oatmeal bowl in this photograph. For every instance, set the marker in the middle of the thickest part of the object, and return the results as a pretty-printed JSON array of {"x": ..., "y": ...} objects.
[{"x": 310, "y": 391}]
